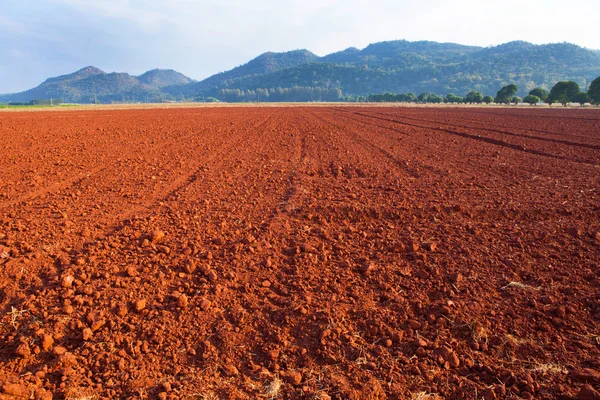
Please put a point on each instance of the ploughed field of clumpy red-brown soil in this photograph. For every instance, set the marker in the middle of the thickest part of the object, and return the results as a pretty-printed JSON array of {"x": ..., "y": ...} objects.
[{"x": 300, "y": 253}]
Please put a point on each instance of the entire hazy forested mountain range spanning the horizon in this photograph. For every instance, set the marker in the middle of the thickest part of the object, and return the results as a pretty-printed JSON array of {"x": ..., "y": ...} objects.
[{"x": 396, "y": 66}]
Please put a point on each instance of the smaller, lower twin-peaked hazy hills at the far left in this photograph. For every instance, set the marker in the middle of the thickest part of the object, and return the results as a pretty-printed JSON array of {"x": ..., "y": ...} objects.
[{"x": 91, "y": 84}]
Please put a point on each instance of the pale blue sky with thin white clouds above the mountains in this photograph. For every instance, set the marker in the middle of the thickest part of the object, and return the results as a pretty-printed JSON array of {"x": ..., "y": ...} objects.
[{"x": 45, "y": 38}]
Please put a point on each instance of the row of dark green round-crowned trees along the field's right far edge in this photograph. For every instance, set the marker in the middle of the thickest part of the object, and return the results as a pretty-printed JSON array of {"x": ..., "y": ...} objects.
[{"x": 563, "y": 92}]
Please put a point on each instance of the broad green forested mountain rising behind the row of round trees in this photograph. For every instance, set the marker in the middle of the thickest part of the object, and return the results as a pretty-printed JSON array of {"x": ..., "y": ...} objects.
[{"x": 402, "y": 66}]
